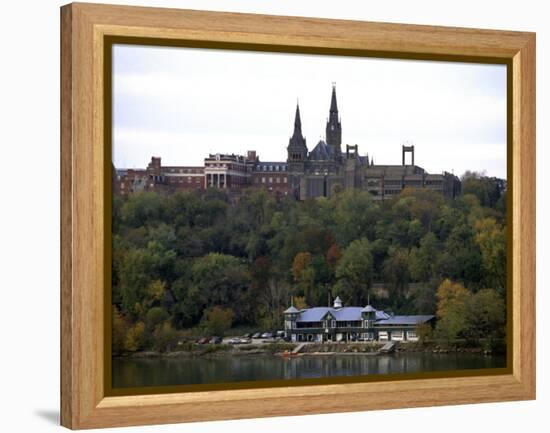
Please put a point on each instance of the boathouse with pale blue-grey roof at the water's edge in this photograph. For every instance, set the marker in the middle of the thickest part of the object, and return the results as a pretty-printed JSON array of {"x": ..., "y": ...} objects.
[{"x": 338, "y": 323}]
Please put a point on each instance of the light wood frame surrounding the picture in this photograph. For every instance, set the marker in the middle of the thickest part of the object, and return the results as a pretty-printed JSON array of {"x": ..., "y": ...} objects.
[{"x": 84, "y": 26}]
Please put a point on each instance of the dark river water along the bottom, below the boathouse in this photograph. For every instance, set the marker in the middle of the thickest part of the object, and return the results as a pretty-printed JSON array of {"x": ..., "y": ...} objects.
[{"x": 202, "y": 370}]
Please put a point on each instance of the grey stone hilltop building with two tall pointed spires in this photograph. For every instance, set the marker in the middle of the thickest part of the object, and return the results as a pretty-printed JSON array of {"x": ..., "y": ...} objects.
[{"x": 324, "y": 169}]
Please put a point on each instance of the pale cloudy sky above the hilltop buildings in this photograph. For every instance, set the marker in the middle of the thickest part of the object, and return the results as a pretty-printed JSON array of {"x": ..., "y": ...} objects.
[{"x": 181, "y": 104}]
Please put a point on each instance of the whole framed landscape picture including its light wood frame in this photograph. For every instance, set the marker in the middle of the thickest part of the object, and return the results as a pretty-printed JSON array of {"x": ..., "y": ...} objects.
[{"x": 320, "y": 215}]
